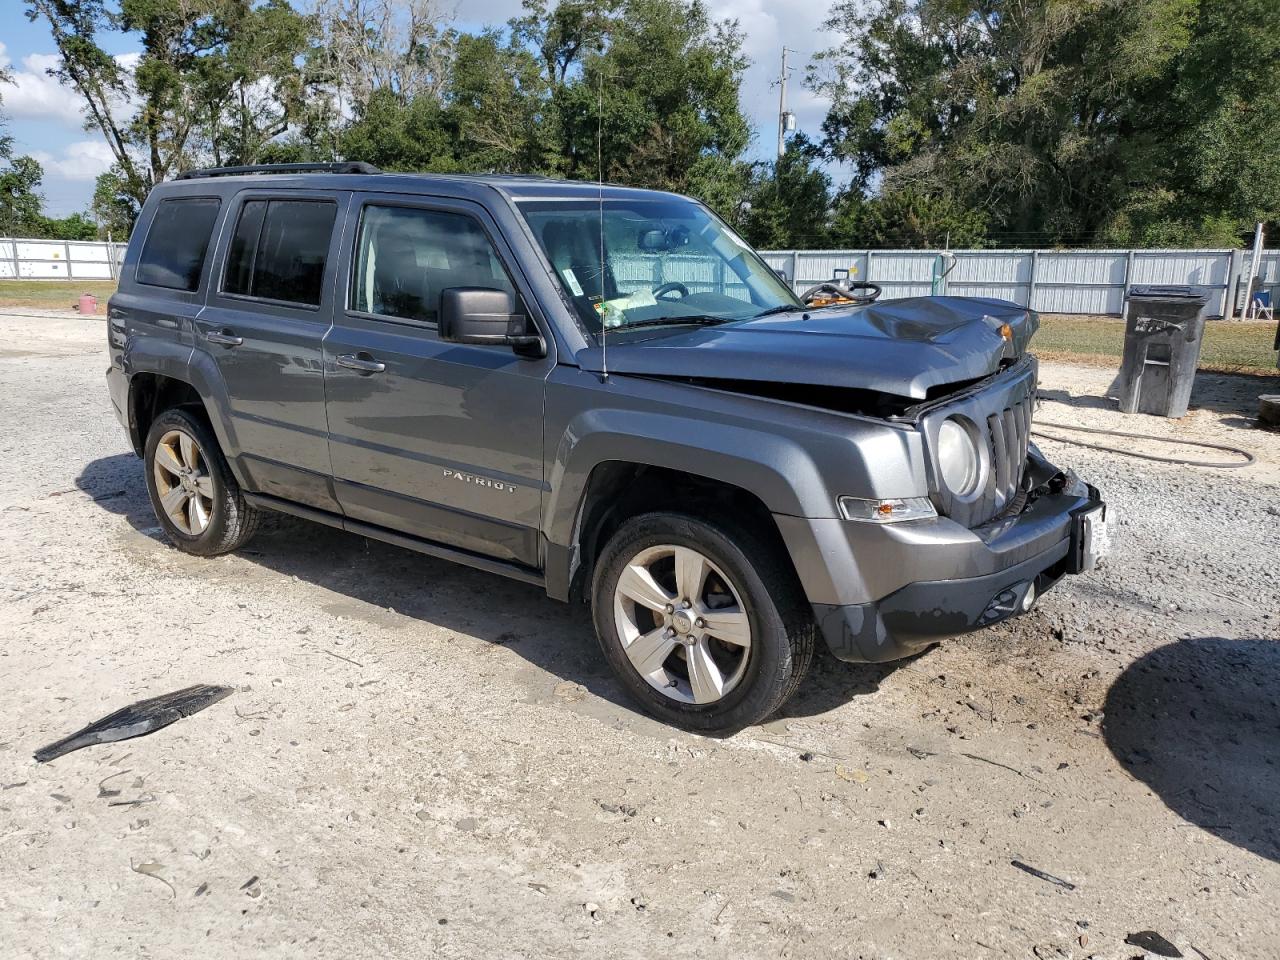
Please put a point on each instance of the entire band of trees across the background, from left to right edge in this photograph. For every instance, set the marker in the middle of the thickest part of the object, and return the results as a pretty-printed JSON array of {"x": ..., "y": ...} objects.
[{"x": 971, "y": 122}]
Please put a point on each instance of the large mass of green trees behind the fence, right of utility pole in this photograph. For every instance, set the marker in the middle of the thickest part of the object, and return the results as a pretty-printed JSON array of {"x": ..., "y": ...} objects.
[{"x": 1062, "y": 121}]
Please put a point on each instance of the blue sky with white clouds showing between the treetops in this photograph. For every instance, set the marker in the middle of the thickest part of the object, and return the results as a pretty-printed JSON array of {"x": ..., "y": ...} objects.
[{"x": 45, "y": 118}]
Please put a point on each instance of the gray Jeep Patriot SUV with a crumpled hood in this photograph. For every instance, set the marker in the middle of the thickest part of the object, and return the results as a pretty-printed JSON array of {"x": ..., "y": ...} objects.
[{"x": 601, "y": 391}]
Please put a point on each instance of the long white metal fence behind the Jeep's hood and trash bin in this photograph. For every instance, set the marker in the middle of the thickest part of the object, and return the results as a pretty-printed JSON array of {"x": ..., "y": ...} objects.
[{"x": 1049, "y": 281}]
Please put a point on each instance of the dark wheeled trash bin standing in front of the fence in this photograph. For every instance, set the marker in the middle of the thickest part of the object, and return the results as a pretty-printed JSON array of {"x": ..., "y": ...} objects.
[{"x": 1163, "y": 333}]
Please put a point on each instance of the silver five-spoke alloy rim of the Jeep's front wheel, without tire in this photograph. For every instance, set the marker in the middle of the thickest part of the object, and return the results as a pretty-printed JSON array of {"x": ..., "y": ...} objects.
[{"x": 683, "y": 624}]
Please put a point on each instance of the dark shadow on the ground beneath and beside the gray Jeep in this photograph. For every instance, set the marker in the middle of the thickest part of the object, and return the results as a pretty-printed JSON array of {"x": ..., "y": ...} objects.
[{"x": 377, "y": 578}]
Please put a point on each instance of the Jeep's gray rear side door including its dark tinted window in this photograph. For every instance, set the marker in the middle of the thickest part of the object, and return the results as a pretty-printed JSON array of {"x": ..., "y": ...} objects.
[{"x": 268, "y": 310}]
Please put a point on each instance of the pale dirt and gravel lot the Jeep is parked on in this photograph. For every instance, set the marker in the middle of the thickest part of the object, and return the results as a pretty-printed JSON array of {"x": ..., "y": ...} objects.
[{"x": 426, "y": 761}]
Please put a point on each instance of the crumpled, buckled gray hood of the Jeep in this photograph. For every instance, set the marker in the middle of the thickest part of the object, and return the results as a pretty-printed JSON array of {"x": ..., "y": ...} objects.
[{"x": 902, "y": 348}]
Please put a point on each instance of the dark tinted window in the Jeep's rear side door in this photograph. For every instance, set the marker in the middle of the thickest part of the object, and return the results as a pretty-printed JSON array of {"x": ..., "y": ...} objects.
[{"x": 280, "y": 249}]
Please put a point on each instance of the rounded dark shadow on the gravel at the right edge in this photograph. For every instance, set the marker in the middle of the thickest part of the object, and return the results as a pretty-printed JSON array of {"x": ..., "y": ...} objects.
[{"x": 1199, "y": 723}]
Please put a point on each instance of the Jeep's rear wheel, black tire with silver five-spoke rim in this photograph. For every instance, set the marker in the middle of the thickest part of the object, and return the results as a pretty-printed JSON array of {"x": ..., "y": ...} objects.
[{"x": 194, "y": 493}]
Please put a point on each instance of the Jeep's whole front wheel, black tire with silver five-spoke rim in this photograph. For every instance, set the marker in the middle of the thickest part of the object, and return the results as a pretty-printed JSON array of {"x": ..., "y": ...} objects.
[{"x": 703, "y": 624}]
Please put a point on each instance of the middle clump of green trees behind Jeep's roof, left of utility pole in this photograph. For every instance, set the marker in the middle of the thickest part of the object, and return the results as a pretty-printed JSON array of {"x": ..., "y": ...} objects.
[{"x": 643, "y": 92}]
